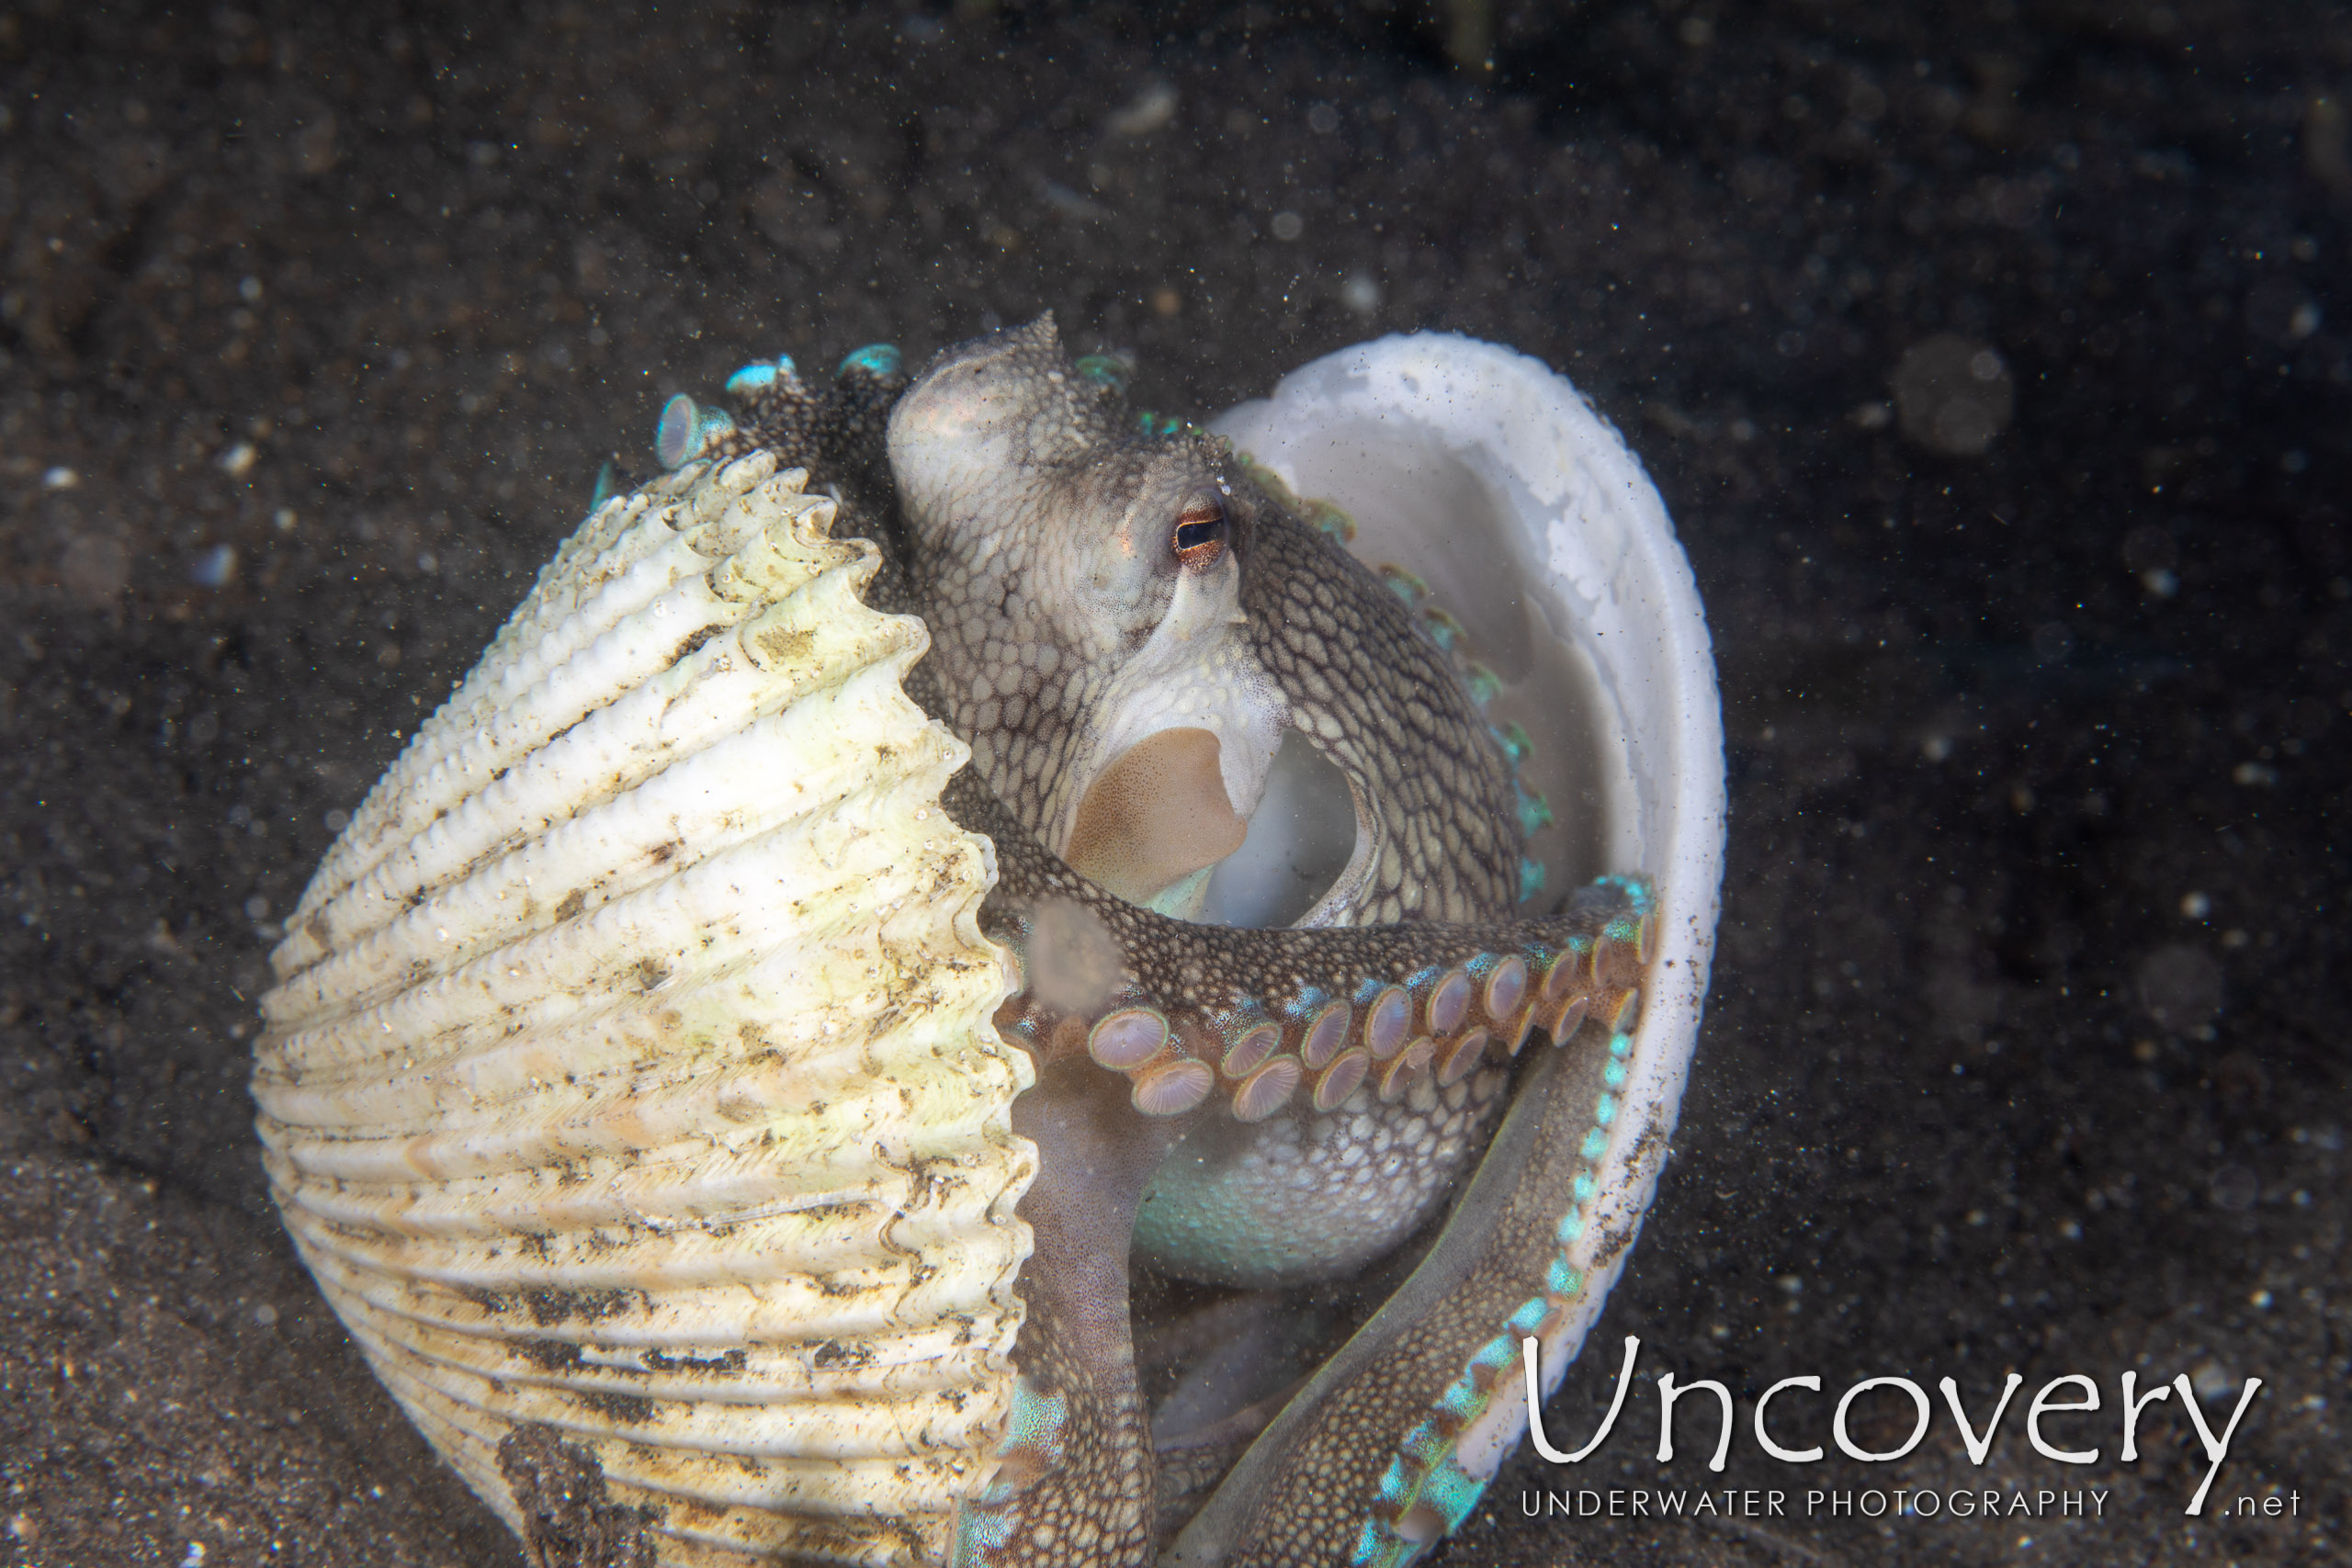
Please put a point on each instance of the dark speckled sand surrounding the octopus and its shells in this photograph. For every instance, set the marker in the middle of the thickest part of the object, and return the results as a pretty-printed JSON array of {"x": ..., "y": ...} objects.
[{"x": 2026, "y": 1045}]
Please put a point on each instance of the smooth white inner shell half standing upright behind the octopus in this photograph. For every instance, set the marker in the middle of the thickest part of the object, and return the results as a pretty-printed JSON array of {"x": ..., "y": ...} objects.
[{"x": 1492, "y": 478}]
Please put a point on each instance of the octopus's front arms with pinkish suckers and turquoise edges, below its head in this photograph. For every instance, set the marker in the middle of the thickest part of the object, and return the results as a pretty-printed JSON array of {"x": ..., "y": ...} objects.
[{"x": 1142, "y": 1026}]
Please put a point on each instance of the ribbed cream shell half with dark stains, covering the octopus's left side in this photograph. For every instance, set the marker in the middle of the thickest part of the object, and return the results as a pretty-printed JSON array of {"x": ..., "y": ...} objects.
[{"x": 629, "y": 1064}]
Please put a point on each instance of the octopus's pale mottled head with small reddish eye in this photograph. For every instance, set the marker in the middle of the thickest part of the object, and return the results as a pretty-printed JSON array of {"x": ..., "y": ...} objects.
[{"x": 1083, "y": 587}]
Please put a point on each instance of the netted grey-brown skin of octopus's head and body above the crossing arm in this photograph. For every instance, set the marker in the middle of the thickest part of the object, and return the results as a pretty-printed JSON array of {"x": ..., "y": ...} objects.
[{"x": 1027, "y": 507}]
